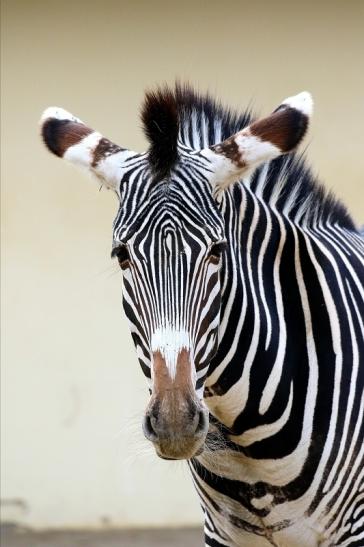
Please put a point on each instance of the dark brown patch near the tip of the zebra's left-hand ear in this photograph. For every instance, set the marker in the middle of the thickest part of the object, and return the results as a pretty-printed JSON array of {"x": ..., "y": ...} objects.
[{"x": 59, "y": 135}]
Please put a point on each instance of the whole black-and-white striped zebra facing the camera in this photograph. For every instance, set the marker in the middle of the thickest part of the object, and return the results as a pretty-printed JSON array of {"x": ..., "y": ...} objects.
[{"x": 243, "y": 287}]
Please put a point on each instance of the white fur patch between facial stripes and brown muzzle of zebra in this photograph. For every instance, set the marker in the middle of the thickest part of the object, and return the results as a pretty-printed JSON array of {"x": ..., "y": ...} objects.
[{"x": 170, "y": 341}]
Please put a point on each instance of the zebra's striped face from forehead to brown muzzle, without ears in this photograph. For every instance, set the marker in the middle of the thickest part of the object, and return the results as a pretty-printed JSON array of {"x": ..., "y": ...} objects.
[{"x": 170, "y": 253}]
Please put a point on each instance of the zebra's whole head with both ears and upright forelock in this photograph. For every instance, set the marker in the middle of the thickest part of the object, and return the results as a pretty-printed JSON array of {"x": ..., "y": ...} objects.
[{"x": 170, "y": 240}]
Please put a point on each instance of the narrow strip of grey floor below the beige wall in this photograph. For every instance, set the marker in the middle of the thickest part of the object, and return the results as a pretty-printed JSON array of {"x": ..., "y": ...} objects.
[{"x": 13, "y": 536}]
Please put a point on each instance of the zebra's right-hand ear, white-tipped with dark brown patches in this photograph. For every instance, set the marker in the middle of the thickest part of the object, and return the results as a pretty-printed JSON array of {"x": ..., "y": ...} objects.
[{"x": 262, "y": 141}]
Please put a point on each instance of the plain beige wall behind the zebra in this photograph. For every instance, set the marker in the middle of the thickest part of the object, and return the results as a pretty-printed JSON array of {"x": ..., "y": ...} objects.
[{"x": 73, "y": 393}]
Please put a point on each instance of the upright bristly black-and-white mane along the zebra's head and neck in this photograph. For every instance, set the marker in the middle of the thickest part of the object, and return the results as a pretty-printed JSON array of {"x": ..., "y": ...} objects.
[{"x": 177, "y": 116}]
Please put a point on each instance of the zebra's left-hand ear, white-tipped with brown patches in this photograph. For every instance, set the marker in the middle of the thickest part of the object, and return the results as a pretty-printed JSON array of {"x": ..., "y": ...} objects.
[{"x": 68, "y": 137}]
